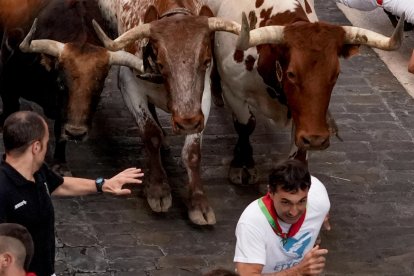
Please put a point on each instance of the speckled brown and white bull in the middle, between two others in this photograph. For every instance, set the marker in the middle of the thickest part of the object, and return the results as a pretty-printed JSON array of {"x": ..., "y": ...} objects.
[{"x": 174, "y": 40}]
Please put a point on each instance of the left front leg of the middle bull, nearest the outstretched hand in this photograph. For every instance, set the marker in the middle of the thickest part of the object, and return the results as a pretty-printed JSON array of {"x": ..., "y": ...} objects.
[{"x": 157, "y": 189}]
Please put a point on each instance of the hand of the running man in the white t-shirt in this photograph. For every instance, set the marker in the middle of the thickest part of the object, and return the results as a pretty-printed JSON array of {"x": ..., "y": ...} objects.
[{"x": 313, "y": 263}]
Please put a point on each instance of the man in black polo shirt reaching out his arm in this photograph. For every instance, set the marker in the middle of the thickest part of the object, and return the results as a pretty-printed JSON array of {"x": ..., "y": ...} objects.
[{"x": 26, "y": 184}]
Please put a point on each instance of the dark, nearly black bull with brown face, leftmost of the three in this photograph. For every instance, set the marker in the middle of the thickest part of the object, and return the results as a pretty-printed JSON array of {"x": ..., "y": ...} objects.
[{"x": 66, "y": 78}]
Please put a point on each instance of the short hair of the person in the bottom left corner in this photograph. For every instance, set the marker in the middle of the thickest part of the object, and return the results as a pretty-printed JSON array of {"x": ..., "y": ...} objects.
[{"x": 20, "y": 233}]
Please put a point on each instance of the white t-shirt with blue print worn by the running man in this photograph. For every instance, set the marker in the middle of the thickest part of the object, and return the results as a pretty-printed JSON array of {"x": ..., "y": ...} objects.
[{"x": 257, "y": 243}]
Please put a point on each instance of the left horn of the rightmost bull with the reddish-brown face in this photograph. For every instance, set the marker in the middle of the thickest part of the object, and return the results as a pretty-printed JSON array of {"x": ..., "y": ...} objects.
[{"x": 264, "y": 35}]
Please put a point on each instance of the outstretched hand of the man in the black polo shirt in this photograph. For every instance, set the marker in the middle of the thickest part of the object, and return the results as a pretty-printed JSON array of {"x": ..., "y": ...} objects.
[{"x": 114, "y": 185}]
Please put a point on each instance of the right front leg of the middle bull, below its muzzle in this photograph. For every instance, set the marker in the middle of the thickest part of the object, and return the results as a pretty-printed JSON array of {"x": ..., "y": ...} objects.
[{"x": 199, "y": 210}]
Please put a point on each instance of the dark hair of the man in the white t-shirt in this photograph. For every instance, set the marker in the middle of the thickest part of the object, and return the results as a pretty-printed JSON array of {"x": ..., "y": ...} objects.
[{"x": 290, "y": 175}]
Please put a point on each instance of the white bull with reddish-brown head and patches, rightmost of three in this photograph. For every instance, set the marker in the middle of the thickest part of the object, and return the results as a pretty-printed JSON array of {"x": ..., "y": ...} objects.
[{"x": 286, "y": 67}]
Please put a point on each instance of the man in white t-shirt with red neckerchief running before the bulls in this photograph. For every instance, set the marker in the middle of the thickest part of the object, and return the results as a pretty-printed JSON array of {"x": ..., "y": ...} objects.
[{"x": 277, "y": 233}]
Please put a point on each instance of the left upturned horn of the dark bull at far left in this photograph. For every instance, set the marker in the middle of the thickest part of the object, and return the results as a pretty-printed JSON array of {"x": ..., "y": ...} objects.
[{"x": 45, "y": 46}]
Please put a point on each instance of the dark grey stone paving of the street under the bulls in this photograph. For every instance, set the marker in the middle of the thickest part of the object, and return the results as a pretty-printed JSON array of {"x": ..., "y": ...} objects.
[{"x": 369, "y": 176}]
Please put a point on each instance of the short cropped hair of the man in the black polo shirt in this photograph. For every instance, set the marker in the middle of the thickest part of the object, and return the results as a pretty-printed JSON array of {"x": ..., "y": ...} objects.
[{"x": 21, "y": 129}]
